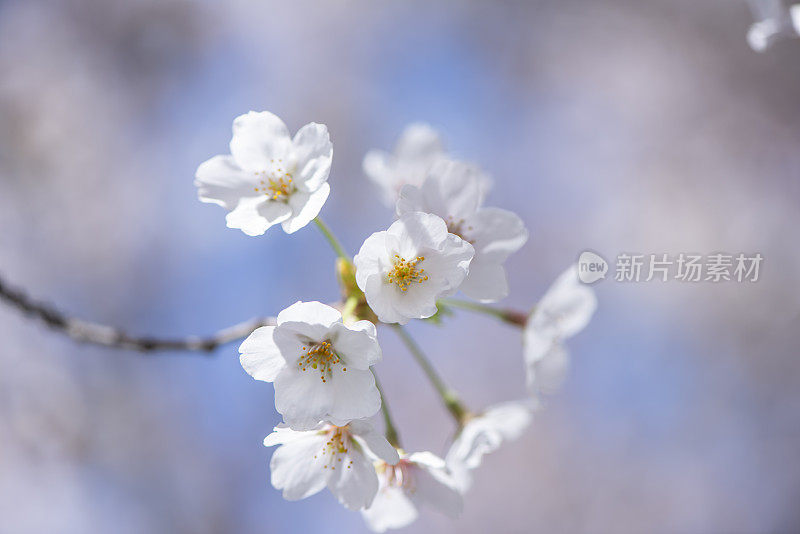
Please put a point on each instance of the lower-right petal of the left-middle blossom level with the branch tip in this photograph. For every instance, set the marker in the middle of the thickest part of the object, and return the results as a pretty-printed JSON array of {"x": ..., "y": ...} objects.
[{"x": 353, "y": 395}]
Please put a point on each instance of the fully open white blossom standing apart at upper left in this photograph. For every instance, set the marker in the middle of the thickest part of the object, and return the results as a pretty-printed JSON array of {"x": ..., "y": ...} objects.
[{"x": 269, "y": 177}]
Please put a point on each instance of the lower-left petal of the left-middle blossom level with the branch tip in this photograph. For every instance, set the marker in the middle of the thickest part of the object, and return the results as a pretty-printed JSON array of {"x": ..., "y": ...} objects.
[{"x": 302, "y": 398}]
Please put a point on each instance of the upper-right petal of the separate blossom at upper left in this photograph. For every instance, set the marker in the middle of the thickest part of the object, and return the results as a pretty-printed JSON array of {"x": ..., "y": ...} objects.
[{"x": 313, "y": 153}]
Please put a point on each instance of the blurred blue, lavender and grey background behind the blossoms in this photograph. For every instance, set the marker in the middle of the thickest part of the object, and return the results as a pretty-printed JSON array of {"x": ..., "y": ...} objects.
[{"x": 615, "y": 125}]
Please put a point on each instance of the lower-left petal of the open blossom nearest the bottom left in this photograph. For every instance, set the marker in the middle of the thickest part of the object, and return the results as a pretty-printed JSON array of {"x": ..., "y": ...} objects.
[{"x": 296, "y": 471}]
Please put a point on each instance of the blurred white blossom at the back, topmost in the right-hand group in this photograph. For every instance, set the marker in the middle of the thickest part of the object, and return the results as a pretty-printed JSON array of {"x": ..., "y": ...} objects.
[{"x": 417, "y": 149}]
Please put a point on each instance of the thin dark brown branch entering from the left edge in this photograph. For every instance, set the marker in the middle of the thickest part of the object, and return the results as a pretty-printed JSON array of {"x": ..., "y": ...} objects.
[{"x": 108, "y": 336}]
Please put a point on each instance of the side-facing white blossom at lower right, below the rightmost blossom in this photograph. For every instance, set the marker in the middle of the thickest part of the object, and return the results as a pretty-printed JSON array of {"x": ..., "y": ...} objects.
[{"x": 484, "y": 433}]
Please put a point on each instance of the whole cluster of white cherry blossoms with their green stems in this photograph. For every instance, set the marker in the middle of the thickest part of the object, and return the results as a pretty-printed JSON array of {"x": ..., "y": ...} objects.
[{"x": 320, "y": 357}]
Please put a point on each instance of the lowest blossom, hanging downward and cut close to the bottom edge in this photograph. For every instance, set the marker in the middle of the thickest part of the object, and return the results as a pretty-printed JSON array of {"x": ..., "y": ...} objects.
[{"x": 419, "y": 479}]
